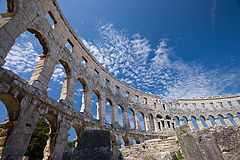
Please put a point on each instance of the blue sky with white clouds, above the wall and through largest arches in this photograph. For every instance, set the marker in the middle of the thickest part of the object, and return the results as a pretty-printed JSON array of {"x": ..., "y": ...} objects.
[{"x": 177, "y": 49}]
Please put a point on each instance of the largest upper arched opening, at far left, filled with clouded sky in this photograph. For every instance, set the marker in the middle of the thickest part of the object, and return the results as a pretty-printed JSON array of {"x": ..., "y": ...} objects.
[{"x": 26, "y": 53}]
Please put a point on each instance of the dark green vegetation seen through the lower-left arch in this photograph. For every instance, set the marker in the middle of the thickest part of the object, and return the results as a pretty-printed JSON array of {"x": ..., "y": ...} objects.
[{"x": 38, "y": 141}]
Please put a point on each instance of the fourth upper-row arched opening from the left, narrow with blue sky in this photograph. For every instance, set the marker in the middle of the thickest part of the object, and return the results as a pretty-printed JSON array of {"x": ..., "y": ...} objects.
[{"x": 95, "y": 104}]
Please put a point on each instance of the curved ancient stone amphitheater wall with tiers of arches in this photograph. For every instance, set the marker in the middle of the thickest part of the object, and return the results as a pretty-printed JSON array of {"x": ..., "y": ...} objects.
[{"x": 27, "y": 101}]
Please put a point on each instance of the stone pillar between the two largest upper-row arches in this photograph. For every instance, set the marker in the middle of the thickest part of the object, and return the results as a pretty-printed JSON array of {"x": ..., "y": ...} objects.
[{"x": 43, "y": 72}]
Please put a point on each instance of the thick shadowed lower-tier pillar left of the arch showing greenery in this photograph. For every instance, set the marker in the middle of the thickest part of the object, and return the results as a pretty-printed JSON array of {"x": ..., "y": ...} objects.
[{"x": 20, "y": 135}]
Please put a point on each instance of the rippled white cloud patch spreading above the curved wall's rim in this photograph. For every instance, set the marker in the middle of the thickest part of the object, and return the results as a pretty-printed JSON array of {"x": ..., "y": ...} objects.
[{"x": 128, "y": 58}]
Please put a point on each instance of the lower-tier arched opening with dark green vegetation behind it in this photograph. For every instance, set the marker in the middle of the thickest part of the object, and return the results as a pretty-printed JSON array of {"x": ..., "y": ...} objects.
[{"x": 43, "y": 138}]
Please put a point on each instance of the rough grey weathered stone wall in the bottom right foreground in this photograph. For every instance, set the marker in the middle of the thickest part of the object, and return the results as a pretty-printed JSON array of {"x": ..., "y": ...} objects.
[{"x": 218, "y": 143}]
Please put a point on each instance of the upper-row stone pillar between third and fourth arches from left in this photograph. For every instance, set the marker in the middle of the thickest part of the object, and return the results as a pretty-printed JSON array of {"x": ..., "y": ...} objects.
[{"x": 87, "y": 103}]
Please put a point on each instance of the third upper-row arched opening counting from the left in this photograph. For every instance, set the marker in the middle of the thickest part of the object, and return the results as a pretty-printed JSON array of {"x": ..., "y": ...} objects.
[{"x": 79, "y": 94}]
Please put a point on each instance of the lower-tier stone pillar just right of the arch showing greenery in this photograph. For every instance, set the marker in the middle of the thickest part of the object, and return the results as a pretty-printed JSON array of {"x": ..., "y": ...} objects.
[{"x": 58, "y": 141}]
